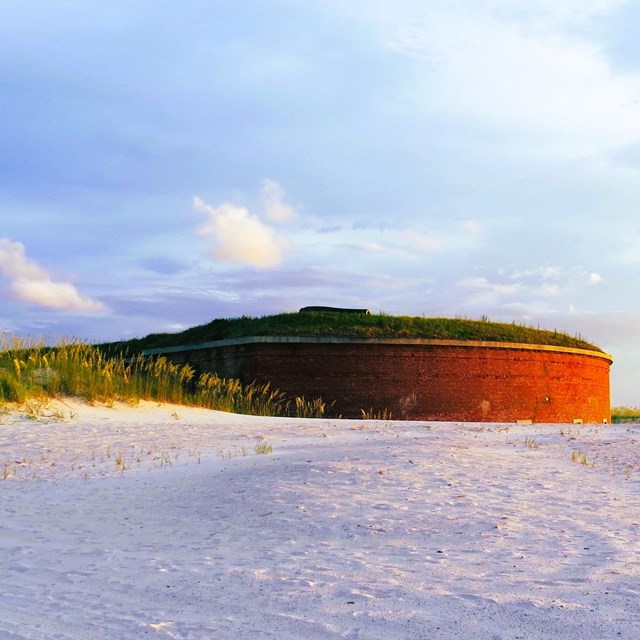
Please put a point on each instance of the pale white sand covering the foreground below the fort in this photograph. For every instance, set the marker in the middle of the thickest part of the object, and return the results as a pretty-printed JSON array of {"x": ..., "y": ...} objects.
[{"x": 347, "y": 530}]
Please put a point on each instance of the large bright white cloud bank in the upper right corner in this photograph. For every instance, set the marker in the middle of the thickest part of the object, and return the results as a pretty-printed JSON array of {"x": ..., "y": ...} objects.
[{"x": 522, "y": 66}]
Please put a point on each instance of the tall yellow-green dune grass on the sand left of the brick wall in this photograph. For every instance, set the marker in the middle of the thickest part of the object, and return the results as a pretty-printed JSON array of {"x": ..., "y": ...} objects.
[{"x": 34, "y": 371}]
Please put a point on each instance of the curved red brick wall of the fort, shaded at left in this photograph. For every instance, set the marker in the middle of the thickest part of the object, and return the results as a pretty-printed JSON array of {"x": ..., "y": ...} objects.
[{"x": 419, "y": 379}]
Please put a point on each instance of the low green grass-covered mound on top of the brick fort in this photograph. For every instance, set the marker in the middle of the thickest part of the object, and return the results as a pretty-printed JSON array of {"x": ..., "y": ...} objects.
[{"x": 355, "y": 325}]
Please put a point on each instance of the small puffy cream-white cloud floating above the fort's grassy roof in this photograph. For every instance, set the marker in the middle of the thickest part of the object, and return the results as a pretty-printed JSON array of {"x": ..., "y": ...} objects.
[{"x": 238, "y": 236}]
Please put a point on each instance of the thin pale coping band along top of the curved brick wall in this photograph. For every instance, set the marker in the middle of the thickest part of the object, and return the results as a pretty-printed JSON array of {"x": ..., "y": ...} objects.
[{"x": 231, "y": 342}]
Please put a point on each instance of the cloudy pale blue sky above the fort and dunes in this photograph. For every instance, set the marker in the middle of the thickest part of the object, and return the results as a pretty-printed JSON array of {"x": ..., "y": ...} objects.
[{"x": 165, "y": 163}]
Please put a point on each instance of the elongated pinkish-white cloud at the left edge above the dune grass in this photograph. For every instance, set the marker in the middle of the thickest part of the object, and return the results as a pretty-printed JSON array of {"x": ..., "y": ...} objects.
[{"x": 31, "y": 283}]
